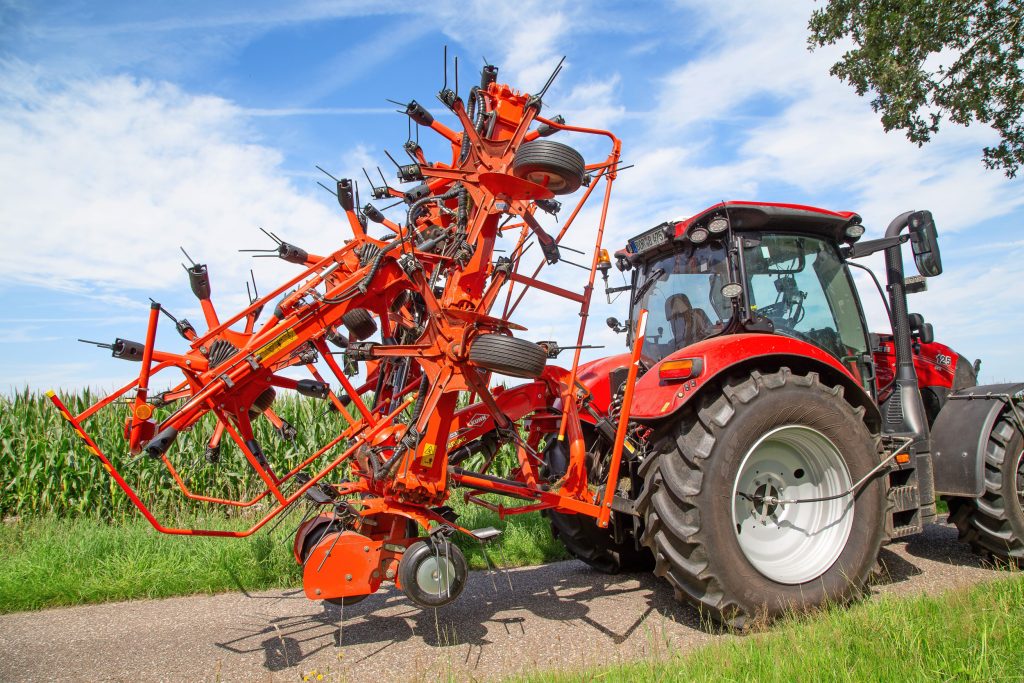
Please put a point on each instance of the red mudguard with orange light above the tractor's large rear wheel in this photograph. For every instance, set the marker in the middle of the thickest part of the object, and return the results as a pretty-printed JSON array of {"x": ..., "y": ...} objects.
[{"x": 657, "y": 398}]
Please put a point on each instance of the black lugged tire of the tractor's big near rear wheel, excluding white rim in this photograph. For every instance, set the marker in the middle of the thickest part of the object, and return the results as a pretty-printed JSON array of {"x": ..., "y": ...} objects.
[{"x": 688, "y": 498}]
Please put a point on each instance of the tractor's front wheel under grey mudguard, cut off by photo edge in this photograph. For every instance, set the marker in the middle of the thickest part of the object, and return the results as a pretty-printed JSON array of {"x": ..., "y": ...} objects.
[{"x": 994, "y": 525}]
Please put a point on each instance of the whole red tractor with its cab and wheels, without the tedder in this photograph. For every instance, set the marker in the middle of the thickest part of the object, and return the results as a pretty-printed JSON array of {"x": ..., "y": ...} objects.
[{"x": 782, "y": 444}]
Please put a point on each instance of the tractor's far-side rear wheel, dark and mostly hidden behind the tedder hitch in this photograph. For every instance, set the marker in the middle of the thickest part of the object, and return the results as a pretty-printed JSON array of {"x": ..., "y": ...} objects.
[{"x": 581, "y": 535}]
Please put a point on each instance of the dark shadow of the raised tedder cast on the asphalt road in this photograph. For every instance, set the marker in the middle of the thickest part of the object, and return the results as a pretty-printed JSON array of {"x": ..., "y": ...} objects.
[{"x": 487, "y": 608}]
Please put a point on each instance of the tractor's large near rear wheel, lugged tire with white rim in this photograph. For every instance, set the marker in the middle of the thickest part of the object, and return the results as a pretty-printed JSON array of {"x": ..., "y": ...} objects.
[{"x": 716, "y": 533}]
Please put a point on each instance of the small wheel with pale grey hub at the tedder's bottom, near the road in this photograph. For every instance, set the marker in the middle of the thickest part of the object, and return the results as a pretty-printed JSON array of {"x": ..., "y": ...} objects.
[{"x": 433, "y": 573}]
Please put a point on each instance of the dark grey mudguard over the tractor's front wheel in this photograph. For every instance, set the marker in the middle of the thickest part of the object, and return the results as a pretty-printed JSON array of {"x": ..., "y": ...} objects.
[{"x": 960, "y": 438}]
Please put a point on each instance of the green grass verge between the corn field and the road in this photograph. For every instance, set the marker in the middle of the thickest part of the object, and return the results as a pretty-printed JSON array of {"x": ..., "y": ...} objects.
[{"x": 50, "y": 562}]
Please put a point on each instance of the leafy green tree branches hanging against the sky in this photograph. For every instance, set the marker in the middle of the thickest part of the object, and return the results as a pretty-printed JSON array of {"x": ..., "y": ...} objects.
[{"x": 925, "y": 61}]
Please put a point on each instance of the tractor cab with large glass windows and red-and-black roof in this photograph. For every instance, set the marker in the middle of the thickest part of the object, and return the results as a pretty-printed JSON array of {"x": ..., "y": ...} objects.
[{"x": 743, "y": 268}]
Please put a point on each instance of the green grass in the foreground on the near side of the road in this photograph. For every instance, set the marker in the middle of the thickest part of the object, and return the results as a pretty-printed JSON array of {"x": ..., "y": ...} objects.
[{"x": 969, "y": 635}]
